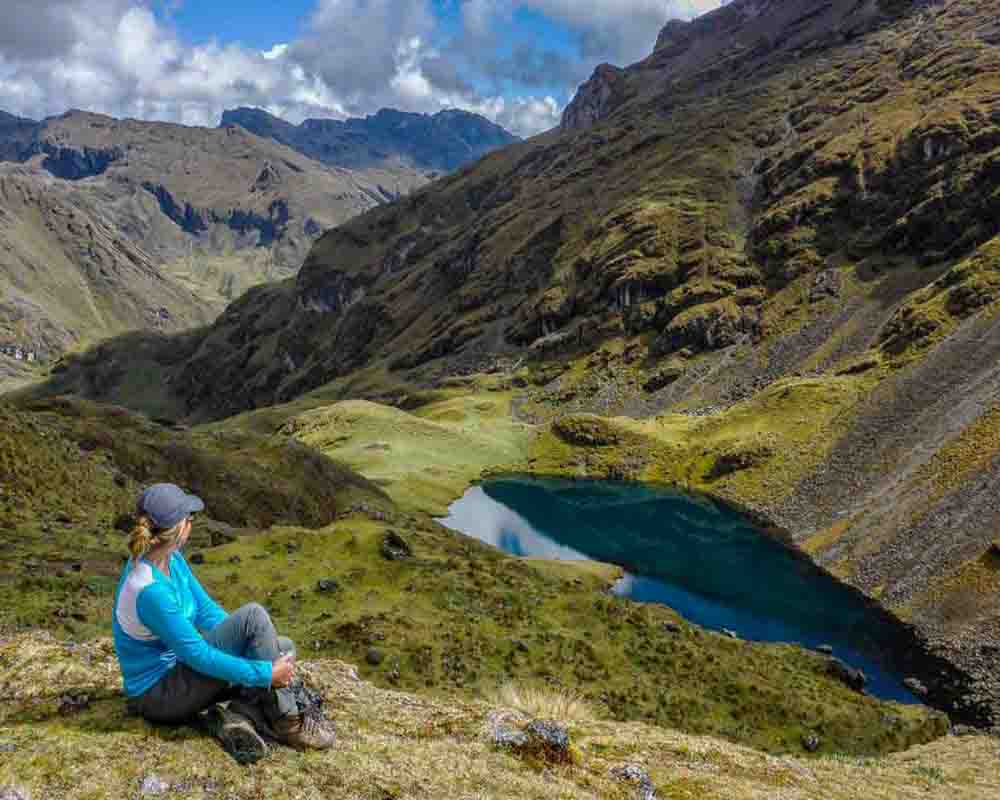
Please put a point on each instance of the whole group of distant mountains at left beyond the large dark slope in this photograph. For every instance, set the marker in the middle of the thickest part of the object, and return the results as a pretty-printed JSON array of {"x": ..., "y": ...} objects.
[{"x": 190, "y": 217}]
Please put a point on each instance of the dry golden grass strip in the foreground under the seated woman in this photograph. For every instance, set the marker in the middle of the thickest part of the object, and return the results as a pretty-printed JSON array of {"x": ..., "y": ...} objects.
[{"x": 399, "y": 745}]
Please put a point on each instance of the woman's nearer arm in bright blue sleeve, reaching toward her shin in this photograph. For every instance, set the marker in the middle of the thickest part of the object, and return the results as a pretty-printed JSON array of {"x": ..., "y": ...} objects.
[{"x": 159, "y": 612}]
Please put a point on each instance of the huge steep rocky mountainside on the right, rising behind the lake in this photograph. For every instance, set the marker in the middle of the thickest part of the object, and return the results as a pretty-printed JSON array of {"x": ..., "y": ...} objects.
[{"x": 762, "y": 262}]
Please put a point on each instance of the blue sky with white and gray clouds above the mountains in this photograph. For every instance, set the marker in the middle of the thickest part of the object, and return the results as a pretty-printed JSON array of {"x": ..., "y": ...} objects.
[{"x": 516, "y": 61}]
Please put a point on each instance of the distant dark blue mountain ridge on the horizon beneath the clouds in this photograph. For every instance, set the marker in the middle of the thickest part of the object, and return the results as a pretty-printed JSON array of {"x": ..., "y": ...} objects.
[{"x": 441, "y": 142}]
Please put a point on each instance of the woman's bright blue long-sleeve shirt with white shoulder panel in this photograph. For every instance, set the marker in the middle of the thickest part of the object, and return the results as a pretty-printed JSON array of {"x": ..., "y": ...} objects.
[{"x": 157, "y": 622}]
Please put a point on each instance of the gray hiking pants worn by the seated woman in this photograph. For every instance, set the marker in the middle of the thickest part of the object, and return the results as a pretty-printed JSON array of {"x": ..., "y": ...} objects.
[{"x": 182, "y": 692}]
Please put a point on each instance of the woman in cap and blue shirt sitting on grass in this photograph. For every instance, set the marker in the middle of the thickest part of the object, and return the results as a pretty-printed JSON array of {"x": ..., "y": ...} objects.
[{"x": 179, "y": 651}]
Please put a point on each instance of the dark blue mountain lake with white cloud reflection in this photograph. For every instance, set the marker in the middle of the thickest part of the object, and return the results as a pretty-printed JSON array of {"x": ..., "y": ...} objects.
[{"x": 705, "y": 561}]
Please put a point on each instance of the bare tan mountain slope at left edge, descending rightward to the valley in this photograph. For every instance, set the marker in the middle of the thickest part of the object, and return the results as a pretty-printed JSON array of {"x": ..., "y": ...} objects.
[{"x": 67, "y": 275}]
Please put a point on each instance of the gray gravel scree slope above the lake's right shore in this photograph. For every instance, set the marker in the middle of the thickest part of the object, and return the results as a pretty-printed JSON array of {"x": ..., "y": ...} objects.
[{"x": 895, "y": 547}]
